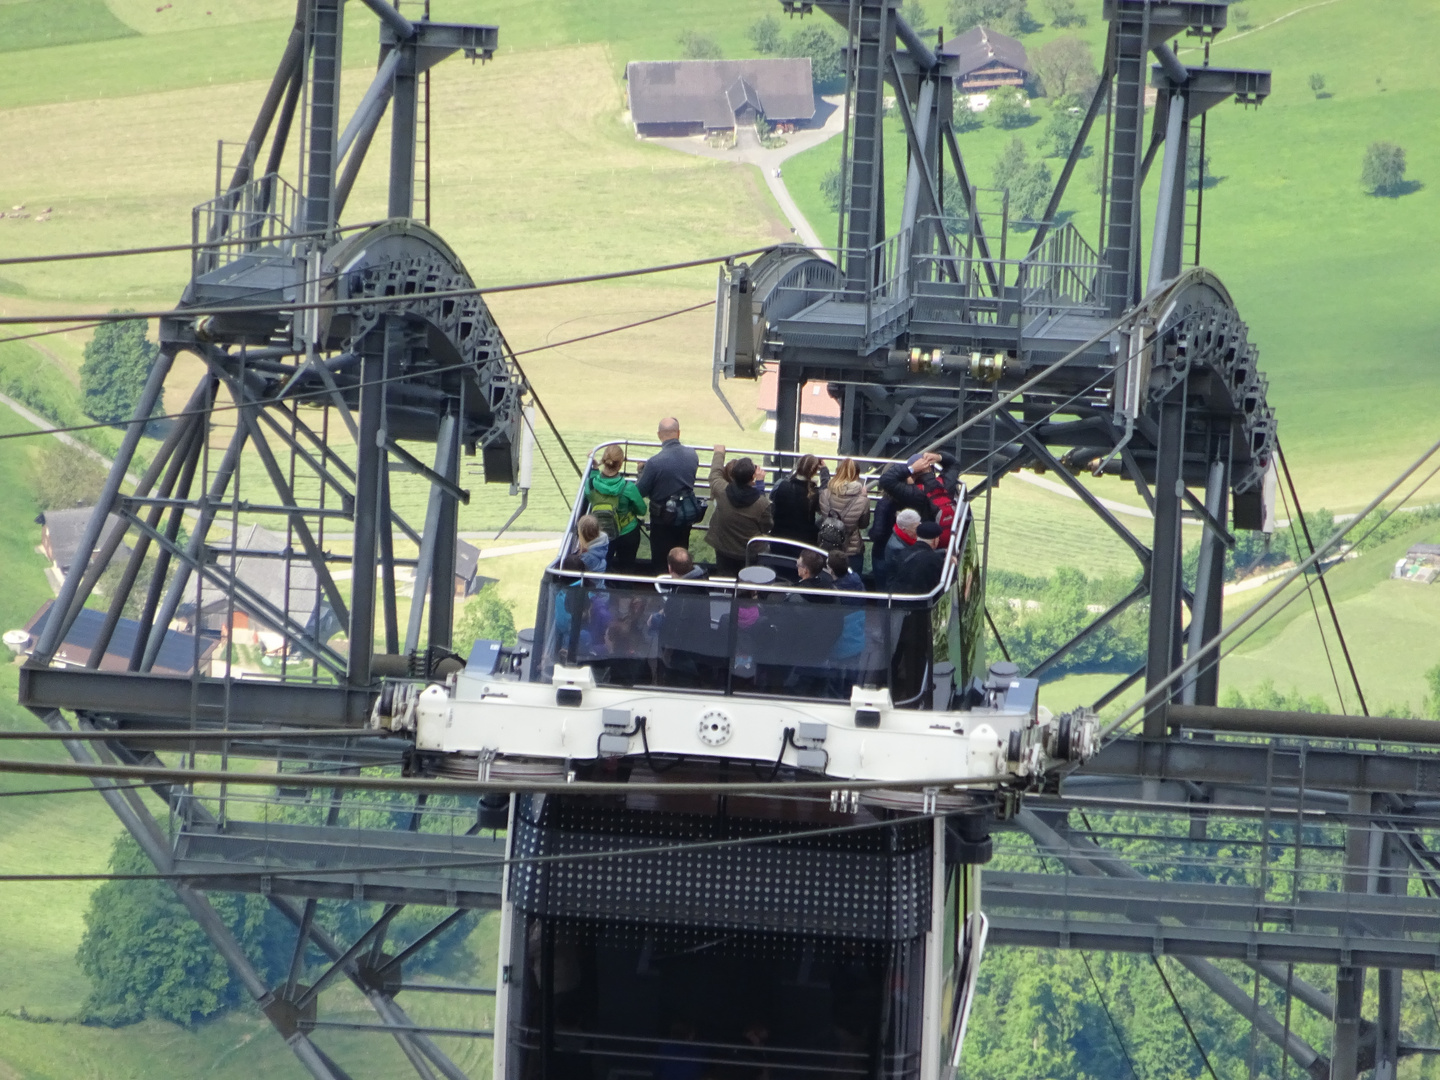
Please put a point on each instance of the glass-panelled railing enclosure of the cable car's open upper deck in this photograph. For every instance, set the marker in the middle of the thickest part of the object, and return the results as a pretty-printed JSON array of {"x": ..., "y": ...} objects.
[{"x": 725, "y": 637}]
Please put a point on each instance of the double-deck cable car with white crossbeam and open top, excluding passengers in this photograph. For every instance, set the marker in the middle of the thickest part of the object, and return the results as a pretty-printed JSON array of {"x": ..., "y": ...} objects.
[{"x": 819, "y": 917}]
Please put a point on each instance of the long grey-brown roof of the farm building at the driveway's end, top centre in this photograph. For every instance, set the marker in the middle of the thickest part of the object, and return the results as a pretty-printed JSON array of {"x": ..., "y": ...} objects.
[{"x": 711, "y": 91}]
